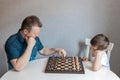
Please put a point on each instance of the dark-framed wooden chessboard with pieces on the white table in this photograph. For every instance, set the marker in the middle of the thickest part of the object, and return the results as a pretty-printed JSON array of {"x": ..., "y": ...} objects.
[{"x": 65, "y": 65}]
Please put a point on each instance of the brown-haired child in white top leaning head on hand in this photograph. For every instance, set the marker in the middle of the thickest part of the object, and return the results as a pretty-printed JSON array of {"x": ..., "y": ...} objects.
[{"x": 98, "y": 55}]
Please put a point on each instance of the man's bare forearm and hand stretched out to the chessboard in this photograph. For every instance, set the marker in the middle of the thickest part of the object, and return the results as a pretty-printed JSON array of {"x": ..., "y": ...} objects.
[{"x": 49, "y": 51}]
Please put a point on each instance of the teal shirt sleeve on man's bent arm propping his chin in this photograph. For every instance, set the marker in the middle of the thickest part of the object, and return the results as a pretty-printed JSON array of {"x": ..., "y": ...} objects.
[{"x": 12, "y": 52}]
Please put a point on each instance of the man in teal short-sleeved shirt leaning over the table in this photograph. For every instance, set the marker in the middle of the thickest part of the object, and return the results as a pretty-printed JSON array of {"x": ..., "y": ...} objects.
[{"x": 23, "y": 46}]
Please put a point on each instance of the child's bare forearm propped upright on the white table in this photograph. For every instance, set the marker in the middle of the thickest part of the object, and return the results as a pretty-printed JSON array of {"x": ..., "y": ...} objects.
[{"x": 97, "y": 63}]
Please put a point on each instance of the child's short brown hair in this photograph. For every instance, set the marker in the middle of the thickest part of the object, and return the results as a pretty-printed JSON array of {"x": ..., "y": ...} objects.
[{"x": 101, "y": 41}]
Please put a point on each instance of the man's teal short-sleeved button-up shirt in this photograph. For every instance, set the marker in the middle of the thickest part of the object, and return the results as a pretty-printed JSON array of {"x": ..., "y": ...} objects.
[{"x": 16, "y": 45}]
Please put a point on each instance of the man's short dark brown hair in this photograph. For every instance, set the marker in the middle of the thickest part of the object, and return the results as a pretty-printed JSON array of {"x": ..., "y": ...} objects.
[{"x": 30, "y": 21}]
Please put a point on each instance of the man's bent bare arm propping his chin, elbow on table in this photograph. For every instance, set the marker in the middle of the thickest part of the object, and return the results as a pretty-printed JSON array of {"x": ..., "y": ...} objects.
[{"x": 21, "y": 62}]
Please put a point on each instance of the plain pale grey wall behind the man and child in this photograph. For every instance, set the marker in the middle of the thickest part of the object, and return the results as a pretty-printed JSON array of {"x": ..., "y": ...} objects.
[{"x": 65, "y": 23}]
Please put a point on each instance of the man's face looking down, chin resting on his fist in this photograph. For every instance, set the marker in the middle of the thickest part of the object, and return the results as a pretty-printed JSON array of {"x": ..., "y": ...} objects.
[{"x": 34, "y": 32}]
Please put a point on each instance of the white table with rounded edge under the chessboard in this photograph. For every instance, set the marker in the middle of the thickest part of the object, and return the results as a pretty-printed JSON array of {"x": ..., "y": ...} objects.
[{"x": 35, "y": 71}]
